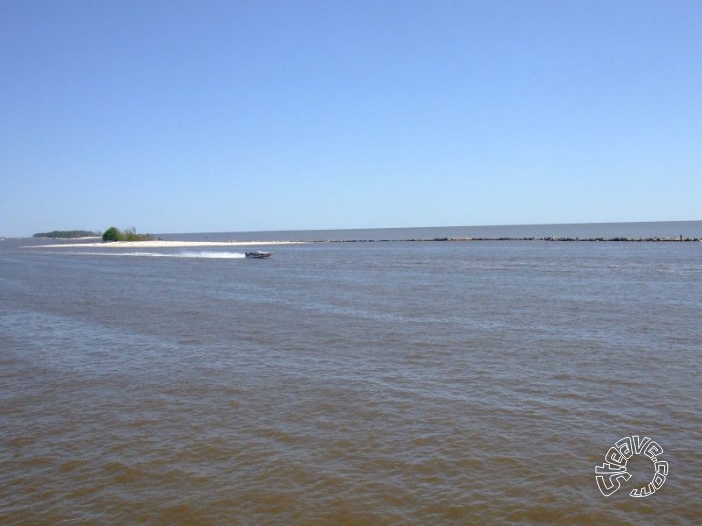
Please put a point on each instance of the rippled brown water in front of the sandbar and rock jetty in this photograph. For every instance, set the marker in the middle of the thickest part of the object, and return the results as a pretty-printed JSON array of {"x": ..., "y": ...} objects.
[{"x": 405, "y": 383}]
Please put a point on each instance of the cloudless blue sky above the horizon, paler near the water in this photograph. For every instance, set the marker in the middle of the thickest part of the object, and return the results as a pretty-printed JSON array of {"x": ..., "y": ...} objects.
[{"x": 194, "y": 116}]
